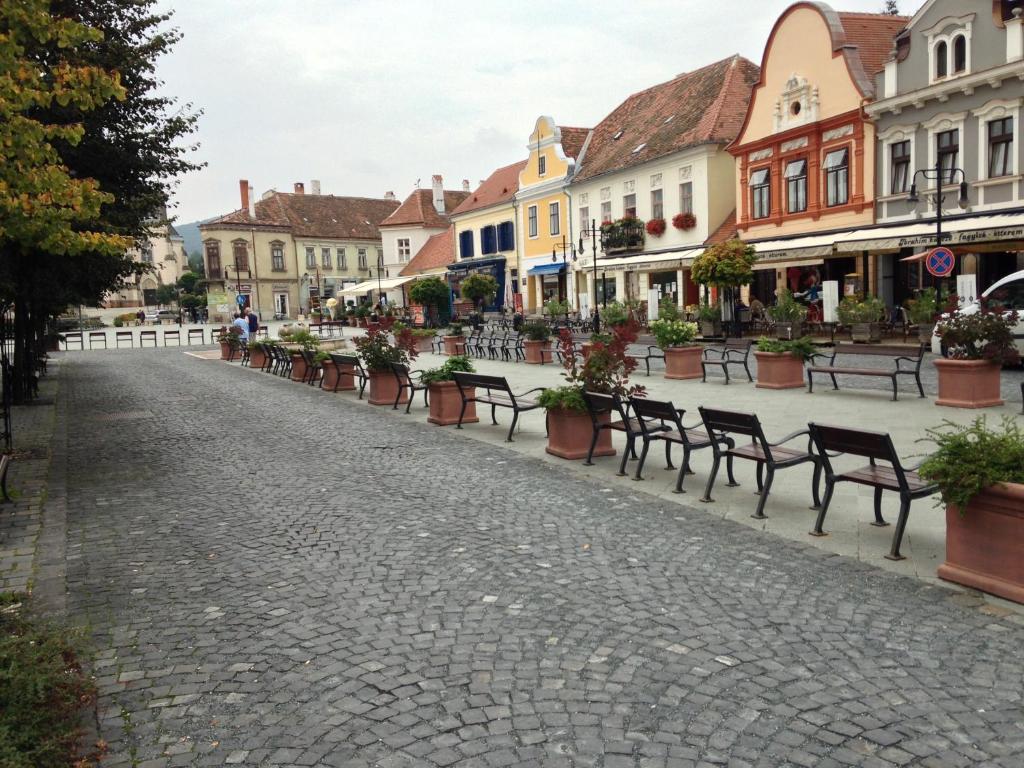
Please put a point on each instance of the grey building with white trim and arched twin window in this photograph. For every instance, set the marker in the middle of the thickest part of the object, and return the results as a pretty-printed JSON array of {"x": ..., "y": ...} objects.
[{"x": 950, "y": 104}]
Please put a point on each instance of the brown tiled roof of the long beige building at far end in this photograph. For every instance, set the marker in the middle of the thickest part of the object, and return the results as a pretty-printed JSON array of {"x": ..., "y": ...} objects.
[{"x": 315, "y": 216}]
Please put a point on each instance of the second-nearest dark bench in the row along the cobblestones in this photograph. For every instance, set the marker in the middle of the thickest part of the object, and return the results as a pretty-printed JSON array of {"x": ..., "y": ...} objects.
[{"x": 769, "y": 456}]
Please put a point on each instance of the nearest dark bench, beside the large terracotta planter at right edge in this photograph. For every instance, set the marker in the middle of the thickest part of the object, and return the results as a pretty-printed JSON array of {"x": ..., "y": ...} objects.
[{"x": 833, "y": 442}]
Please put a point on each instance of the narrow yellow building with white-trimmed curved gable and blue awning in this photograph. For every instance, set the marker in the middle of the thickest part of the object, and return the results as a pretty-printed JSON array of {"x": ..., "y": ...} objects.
[{"x": 545, "y": 220}]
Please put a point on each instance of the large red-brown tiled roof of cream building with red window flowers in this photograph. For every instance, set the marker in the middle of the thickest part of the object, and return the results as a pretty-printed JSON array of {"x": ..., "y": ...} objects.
[{"x": 703, "y": 107}]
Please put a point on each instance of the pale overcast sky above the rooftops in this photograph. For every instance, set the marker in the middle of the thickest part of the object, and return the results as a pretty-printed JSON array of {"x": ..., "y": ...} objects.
[{"x": 370, "y": 97}]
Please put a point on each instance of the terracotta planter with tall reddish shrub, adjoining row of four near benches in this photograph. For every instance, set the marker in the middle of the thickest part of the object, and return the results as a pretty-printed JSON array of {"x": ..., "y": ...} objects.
[{"x": 607, "y": 370}]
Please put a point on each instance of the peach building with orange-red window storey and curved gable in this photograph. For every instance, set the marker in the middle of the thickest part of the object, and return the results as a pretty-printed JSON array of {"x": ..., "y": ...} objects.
[{"x": 805, "y": 154}]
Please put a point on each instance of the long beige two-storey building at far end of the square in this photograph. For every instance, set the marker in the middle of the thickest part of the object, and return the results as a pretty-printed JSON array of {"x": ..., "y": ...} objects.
[{"x": 288, "y": 252}]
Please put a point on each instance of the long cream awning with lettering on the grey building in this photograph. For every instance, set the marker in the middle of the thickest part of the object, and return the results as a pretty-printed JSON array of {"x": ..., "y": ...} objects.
[{"x": 962, "y": 232}]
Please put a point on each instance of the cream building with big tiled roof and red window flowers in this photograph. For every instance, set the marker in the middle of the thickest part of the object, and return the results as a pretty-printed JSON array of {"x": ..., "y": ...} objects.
[{"x": 660, "y": 158}]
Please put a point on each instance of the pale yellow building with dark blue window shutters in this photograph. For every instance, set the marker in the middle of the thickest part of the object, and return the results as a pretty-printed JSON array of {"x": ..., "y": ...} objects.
[{"x": 486, "y": 235}]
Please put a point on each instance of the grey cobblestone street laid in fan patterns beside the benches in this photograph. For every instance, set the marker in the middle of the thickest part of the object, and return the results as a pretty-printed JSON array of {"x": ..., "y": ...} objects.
[{"x": 278, "y": 576}]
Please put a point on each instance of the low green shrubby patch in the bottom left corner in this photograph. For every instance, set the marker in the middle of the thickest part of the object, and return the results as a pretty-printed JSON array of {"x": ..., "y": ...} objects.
[{"x": 42, "y": 693}]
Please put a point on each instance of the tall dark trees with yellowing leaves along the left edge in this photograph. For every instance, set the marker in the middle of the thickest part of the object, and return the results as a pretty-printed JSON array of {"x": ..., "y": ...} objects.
[{"x": 89, "y": 154}]
